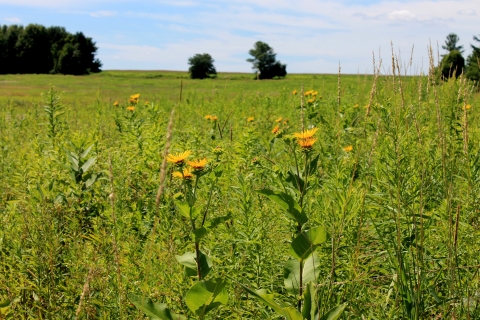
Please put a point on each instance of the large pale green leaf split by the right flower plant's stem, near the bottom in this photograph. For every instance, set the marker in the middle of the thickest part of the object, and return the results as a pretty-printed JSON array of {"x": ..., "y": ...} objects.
[{"x": 291, "y": 273}]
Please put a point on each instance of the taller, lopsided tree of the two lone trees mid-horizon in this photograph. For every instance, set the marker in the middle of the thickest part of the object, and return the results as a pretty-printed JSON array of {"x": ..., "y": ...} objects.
[{"x": 265, "y": 63}]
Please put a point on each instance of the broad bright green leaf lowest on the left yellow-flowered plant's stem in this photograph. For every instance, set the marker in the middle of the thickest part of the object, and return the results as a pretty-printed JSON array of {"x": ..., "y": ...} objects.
[{"x": 206, "y": 295}]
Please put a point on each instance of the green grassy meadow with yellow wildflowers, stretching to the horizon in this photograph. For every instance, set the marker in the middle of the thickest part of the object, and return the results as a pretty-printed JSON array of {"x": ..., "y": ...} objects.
[{"x": 356, "y": 198}]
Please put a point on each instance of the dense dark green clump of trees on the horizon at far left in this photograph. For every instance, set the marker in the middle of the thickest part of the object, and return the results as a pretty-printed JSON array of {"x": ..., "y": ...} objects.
[{"x": 37, "y": 49}]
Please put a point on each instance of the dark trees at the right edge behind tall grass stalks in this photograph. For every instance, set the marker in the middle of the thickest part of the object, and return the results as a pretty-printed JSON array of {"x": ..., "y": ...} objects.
[{"x": 453, "y": 64}]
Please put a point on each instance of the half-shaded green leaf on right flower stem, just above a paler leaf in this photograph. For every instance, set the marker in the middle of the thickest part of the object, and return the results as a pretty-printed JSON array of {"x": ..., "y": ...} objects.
[{"x": 305, "y": 242}]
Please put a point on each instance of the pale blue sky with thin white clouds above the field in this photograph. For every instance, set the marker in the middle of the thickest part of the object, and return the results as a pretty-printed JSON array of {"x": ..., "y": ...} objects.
[{"x": 310, "y": 36}]
